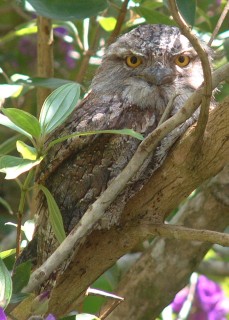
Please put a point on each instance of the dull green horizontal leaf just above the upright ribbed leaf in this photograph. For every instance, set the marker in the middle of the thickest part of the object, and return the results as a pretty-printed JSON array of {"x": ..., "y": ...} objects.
[{"x": 51, "y": 83}]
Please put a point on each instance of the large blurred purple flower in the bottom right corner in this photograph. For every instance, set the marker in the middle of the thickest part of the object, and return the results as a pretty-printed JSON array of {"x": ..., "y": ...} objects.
[{"x": 209, "y": 302}]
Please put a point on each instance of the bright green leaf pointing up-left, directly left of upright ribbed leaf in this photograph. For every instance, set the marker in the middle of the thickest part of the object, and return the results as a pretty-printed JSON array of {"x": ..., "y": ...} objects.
[{"x": 24, "y": 120}]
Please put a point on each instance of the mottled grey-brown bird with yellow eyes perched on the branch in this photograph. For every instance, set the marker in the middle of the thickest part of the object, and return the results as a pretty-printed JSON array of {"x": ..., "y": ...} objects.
[{"x": 138, "y": 76}]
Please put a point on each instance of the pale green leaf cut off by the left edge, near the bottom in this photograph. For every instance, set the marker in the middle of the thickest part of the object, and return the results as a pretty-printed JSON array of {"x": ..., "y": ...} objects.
[{"x": 5, "y": 285}]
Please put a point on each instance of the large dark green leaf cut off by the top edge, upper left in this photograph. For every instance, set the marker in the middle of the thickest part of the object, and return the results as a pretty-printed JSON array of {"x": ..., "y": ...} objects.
[{"x": 68, "y": 10}]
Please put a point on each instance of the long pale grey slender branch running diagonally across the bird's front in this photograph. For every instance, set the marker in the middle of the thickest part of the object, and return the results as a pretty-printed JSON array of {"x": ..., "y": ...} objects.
[{"x": 96, "y": 210}]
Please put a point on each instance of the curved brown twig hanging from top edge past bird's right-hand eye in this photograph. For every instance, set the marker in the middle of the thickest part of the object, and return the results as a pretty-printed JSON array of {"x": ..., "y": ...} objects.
[{"x": 207, "y": 86}]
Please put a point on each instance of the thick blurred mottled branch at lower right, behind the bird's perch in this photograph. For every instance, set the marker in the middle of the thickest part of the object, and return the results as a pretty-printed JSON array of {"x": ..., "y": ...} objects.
[{"x": 164, "y": 268}]
